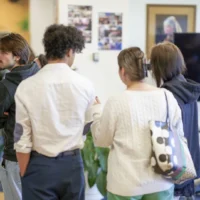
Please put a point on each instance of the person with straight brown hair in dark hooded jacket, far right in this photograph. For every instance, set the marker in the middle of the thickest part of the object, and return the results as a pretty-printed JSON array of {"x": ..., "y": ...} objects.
[{"x": 168, "y": 65}]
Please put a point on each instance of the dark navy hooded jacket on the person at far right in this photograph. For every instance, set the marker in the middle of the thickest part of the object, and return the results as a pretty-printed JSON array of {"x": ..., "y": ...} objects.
[{"x": 187, "y": 93}]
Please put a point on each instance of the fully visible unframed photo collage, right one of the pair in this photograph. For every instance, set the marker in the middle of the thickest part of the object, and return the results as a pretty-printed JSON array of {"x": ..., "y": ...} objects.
[{"x": 110, "y": 31}]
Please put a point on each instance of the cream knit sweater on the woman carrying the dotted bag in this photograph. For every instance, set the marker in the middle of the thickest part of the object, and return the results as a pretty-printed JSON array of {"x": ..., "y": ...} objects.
[{"x": 124, "y": 125}]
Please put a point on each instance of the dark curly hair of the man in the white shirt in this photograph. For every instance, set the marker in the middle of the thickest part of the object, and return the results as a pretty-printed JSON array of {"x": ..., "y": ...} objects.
[{"x": 58, "y": 39}]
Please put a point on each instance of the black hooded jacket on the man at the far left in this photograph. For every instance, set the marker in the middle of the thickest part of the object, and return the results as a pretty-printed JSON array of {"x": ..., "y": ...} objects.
[{"x": 8, "y": 88}]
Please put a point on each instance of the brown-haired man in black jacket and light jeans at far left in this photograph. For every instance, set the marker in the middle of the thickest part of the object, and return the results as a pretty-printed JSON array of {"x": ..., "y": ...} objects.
[{"x": 14, "y": 56}]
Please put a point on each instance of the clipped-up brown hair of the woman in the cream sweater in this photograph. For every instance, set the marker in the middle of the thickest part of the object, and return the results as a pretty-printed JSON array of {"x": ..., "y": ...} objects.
[{"x": 131, "y": 60}]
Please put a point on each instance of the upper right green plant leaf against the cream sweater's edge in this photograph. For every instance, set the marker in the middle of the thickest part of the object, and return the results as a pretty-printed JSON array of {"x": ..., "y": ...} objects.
[{"x": 102, "y": 154}]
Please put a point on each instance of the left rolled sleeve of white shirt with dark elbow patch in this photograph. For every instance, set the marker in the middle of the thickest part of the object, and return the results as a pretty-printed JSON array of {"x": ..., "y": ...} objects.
[{"x": 22, "y": 132}]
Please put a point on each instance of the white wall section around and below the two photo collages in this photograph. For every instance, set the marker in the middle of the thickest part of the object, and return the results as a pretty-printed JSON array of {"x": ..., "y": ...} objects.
[{"x": 103, "y": 74}]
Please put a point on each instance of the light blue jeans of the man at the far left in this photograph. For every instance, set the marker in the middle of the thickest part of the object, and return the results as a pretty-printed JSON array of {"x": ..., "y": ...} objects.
[{"x": 11, "y": 181}]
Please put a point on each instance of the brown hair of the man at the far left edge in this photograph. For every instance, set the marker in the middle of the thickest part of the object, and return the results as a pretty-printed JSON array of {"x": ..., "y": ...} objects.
[{"x": 17, "y": 45}]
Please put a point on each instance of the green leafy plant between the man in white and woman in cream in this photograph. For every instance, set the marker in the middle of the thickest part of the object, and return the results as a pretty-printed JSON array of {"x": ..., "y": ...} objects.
[{"x": 95, "y": 164}]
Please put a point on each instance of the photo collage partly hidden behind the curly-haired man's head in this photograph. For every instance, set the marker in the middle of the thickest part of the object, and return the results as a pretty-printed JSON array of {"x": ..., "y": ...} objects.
[{"x": 81, "y": 18}]
